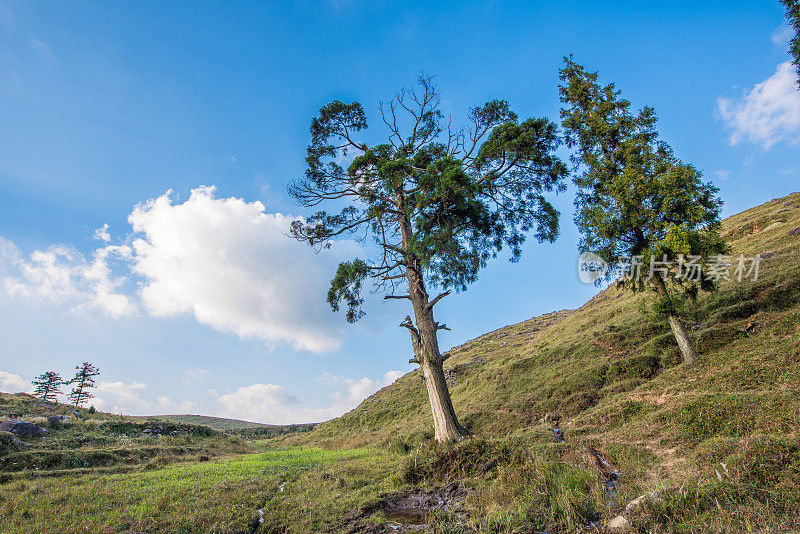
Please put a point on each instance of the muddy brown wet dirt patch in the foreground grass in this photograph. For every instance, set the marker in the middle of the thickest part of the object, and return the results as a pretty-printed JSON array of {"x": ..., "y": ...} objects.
[{"x": 406, "y": 511}]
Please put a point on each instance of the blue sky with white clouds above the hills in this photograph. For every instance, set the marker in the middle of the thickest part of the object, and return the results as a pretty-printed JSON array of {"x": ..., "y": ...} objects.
[{"x": 107, "y": 106}]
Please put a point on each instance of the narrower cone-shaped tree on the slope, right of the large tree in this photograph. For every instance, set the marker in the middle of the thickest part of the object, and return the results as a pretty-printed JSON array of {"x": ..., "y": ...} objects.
[{"x": 635, "y": 198}]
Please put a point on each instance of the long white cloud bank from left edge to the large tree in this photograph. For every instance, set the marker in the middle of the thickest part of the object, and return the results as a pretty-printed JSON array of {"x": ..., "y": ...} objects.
[{"x": 225, "y": 261}]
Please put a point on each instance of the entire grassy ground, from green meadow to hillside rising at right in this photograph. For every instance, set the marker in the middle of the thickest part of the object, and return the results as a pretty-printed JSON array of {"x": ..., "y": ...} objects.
[{"x": 712, "y": 448}]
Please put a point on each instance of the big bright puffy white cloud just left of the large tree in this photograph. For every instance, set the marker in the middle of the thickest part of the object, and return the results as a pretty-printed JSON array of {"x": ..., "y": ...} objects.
[{"x": 232, "y": 266}]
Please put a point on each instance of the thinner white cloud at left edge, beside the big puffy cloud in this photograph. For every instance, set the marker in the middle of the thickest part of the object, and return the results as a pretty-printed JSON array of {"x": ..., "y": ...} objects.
[{"x": 62, "y": 274}]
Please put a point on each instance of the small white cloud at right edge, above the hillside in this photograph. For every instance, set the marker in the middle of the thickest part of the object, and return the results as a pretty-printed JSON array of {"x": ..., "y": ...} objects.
[{"x": 768, "y": 113}]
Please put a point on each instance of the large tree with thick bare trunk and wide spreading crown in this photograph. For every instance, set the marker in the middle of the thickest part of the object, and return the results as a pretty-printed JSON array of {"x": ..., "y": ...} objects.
[{"x": 438, "y": 202}]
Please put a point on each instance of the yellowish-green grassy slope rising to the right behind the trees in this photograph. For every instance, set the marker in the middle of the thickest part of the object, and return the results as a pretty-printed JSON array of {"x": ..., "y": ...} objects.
[{"x": 609, "y": 374}]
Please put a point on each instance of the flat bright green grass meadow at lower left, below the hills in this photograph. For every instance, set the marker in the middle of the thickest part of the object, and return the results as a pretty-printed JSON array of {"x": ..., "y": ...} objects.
[{"x": 219, "y": 496}]
